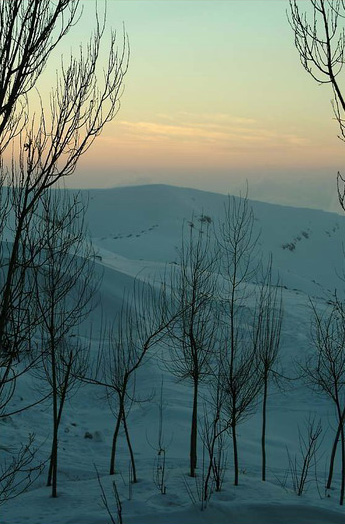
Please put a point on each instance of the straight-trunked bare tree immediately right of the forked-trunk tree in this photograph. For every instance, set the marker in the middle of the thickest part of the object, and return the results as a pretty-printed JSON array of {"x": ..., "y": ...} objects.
[{"x": 192, "y": 336}]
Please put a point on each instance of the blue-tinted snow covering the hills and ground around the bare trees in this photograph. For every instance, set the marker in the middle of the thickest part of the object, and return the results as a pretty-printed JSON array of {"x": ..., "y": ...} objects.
[{"x": 136, "y": 231}]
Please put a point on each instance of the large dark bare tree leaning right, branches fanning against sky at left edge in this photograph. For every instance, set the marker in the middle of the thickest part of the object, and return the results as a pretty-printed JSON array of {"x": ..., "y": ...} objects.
[{"x": 49, "y": 147}]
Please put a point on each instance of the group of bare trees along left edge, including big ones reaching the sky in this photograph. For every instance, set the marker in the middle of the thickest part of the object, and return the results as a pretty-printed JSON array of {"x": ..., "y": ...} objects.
[{"x": 45, "y": 258}]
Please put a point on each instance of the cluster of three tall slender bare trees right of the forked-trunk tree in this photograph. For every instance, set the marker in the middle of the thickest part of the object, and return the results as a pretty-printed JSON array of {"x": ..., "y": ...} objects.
[{"x": 225, "y": 336}]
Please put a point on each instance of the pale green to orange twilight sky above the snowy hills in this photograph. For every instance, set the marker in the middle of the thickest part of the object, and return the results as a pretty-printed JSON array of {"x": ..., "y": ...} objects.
[{"x": 215, "y": 96}]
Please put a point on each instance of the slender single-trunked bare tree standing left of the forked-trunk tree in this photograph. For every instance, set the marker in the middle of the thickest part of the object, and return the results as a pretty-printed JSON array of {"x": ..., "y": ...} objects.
[{"x": 64, "y": 285}]
